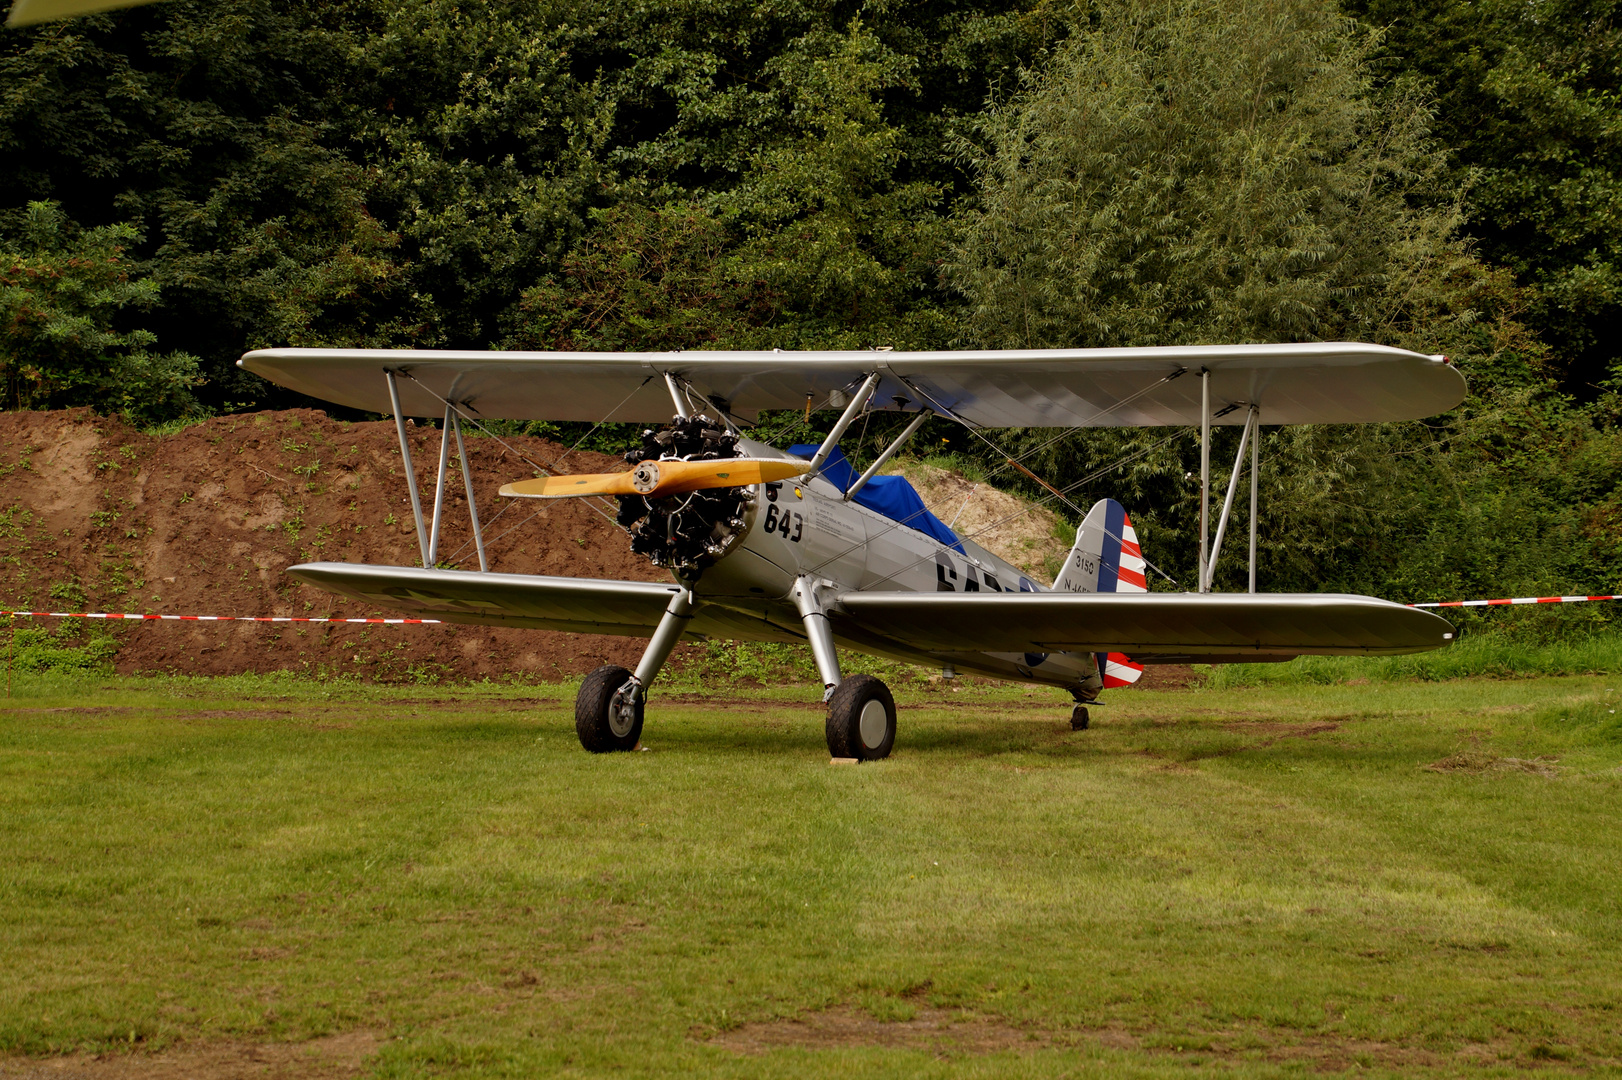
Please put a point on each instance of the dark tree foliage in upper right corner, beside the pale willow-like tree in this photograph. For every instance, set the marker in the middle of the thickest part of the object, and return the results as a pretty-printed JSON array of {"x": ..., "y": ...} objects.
[{"x": 1530, "y": 105}]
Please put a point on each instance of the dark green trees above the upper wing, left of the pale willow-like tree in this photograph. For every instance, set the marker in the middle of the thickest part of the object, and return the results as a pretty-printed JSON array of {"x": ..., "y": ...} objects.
[{"x": 432, "y": 174}]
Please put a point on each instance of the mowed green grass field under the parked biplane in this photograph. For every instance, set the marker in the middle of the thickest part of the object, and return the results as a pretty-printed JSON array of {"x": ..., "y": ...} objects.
[{"x": 1269, "y": 881}]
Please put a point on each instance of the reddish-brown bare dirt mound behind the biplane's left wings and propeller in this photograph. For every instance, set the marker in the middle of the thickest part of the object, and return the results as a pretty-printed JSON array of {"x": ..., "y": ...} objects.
[{"x": 97, "y": 516}]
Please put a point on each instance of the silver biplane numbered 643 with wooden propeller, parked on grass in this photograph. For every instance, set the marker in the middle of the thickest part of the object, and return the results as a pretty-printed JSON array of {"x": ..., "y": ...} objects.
[{"x": 796, "y": 546}]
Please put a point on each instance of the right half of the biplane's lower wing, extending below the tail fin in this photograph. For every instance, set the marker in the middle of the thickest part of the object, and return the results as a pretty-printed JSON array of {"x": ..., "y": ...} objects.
[{"x": 1204, "y": 627}]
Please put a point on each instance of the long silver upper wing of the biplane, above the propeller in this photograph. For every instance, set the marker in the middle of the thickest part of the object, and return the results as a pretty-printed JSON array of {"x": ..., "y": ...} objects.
[{"x": 1311, "y": 384}]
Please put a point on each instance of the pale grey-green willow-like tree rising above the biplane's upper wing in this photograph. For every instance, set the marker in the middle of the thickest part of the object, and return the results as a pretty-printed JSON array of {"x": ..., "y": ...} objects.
[{"x": 1209, "y": 173}]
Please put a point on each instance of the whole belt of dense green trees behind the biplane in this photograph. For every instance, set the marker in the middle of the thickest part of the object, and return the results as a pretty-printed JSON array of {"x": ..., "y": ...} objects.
[{"x": 197, "y": 178}]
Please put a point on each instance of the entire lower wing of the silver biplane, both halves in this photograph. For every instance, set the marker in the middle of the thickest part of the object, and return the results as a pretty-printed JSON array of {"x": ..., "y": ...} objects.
[{"x": 1157, "y": 627}]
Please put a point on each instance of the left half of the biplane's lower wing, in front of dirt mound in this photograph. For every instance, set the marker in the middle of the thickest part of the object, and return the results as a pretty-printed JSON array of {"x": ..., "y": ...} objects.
[{"x": 585, "y": 606}]
